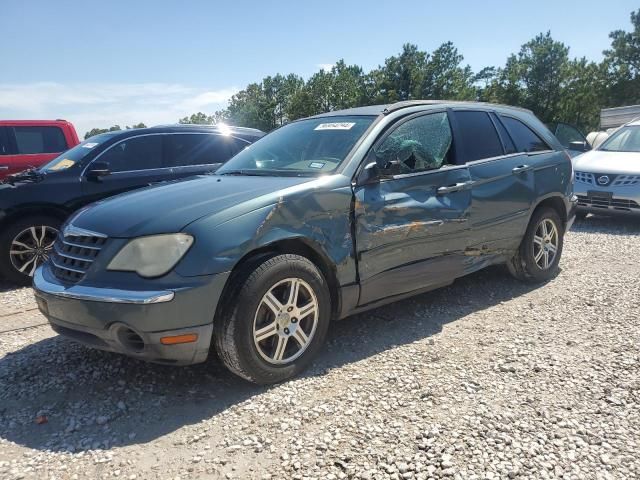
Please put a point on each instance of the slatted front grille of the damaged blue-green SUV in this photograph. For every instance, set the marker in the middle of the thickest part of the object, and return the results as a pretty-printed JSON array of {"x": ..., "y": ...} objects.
[{"x": 73, "y": 254}]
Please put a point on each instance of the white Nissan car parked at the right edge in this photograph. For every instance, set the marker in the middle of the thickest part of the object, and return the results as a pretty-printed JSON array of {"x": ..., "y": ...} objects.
[{"x": 607, "y": 179}]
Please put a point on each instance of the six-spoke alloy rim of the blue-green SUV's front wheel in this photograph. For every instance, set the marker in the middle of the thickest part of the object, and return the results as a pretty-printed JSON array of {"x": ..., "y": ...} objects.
[{"x": 285, "y": 321}]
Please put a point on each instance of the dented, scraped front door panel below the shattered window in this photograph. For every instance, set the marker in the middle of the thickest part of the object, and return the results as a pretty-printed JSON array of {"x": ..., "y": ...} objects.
[{"x": 408, "y": 236}]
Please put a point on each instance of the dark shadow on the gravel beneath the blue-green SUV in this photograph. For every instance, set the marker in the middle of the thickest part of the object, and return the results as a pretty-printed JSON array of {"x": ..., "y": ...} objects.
[{"x": 59, "y": 396}]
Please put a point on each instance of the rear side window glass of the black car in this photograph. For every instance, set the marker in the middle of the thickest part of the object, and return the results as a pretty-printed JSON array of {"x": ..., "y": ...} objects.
[{"x": 199, "y": 149}]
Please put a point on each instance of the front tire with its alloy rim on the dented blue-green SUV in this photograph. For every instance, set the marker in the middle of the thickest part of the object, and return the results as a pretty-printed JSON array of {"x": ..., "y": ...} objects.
[{"x": 276, "y": 324}]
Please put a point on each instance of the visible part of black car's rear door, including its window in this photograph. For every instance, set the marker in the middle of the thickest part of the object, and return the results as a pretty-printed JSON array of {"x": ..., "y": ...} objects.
[{"x": 198, "y": 153}]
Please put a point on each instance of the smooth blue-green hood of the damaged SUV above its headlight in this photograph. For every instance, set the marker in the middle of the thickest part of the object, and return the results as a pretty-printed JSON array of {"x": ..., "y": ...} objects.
[{"x": 171, "y": 207}]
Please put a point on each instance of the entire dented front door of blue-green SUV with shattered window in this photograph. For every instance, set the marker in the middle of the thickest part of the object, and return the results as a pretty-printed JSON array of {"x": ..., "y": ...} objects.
[{"x": 412, "y": 226}]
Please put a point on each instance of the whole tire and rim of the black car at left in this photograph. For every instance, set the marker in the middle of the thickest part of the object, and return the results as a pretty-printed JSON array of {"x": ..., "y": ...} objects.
[{"x": 34, "y": 236}]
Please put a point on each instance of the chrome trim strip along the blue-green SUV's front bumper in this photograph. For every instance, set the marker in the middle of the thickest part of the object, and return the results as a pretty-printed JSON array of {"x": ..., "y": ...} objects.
[{"x": 94, "y": 294}]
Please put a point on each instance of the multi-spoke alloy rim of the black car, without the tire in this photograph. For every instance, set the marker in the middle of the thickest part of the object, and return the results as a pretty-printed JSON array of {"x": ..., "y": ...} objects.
[{"x": 31, "y": 248}]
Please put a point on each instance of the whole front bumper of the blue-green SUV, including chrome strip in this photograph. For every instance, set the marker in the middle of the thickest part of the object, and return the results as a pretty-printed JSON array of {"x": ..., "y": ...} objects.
[{"x": 133, "y": 322}]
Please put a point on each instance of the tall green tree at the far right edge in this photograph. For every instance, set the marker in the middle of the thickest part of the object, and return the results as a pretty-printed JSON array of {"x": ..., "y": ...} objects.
[{"x": 622, "y": 62}]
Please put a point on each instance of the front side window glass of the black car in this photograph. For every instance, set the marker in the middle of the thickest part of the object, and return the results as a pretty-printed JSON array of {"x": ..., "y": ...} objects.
[{"x": 138, "y": 153}]
